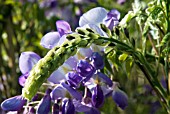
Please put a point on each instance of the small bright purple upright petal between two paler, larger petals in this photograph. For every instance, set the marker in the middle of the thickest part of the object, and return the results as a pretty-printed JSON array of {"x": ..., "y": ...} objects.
[{"x": 63, "y": 27}]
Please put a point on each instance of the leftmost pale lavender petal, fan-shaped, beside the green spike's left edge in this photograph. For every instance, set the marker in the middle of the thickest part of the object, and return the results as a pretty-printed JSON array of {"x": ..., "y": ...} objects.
[{"x": 27, "y": 60}]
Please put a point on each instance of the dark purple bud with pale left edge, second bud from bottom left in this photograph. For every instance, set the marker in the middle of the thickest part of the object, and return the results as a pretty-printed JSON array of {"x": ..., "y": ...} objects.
[{"x": 45, "y": 103}]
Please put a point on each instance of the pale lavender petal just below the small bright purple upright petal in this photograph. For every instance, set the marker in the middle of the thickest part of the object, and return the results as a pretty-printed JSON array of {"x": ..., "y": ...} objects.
[{"x": 50, "y": 40}]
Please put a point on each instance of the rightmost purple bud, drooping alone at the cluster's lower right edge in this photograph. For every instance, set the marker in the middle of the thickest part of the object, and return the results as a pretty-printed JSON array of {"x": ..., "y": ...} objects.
[{"x": 120, "y": 98}]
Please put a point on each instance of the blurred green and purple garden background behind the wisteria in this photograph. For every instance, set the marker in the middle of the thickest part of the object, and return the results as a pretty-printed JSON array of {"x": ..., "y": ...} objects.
[{"x": 24, "y": 22}]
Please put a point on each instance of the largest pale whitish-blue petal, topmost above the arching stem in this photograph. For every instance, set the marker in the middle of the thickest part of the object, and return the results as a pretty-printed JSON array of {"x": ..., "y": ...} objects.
[{"x": 93, "y": 16}]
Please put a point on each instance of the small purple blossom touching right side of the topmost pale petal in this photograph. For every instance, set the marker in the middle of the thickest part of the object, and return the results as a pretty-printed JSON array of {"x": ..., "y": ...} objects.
[{"x": 112, "y": 19}]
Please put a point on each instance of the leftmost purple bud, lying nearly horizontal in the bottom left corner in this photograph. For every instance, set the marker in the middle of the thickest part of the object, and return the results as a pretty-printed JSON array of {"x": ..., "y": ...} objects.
[{"x": 13, "y": 104}]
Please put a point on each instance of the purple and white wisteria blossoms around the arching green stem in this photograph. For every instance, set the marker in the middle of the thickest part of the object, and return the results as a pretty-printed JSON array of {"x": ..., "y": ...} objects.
[{"x": 78, "y": 85}]
